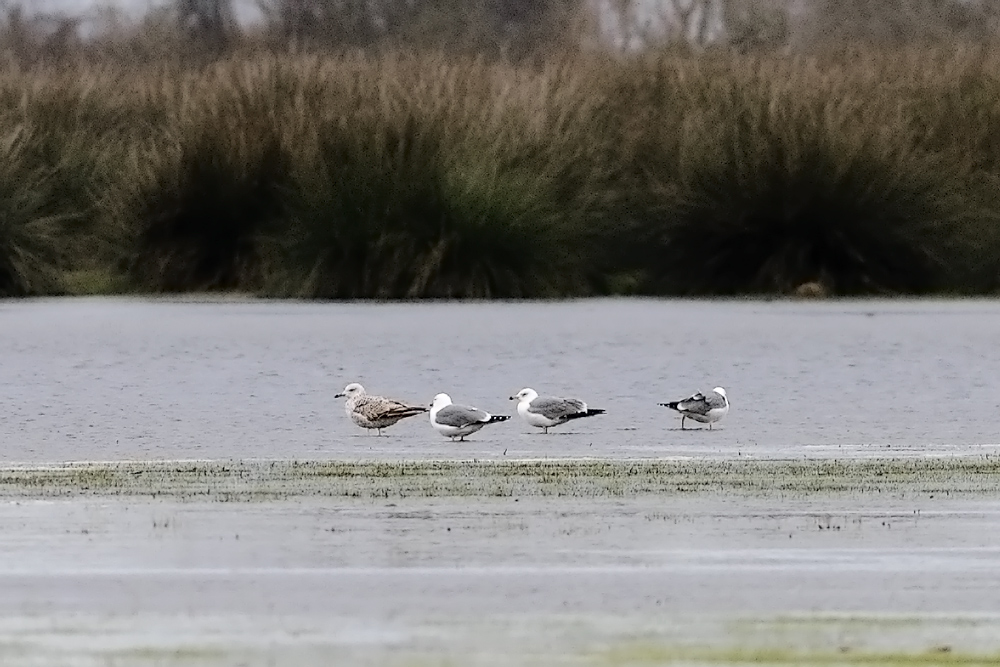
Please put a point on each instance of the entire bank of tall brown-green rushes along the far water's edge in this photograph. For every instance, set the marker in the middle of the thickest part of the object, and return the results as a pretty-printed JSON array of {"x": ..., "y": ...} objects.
[{"x": 424, "y": 175}]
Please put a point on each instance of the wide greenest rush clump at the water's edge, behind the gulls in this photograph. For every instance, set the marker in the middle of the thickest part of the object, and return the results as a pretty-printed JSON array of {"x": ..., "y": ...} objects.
[{"x": 394, "y": 211}]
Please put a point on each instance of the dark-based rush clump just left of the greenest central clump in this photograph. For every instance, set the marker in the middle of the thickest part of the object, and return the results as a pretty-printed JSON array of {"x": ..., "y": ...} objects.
[{"x": 197, "y": 201}]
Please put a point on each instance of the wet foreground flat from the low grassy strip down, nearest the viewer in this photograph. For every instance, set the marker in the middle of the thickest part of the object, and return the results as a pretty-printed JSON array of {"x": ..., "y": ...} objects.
[{"x": 569, "y": 561}]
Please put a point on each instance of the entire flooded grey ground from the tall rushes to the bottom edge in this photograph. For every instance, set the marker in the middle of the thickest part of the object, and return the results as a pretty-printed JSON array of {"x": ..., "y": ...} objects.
[{"x": 845, "y": 512}]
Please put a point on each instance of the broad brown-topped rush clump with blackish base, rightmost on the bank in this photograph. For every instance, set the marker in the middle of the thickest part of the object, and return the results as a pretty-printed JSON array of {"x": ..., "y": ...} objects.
[{"x": 771, "y": 188}]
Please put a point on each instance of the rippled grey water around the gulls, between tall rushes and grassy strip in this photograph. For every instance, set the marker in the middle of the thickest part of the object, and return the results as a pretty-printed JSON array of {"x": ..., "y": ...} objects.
[{"x": 103, "y": 379}]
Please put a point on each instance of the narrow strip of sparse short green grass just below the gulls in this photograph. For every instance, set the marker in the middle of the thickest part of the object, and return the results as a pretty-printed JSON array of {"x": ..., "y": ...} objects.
[{"x": 263, "y": 480}]
